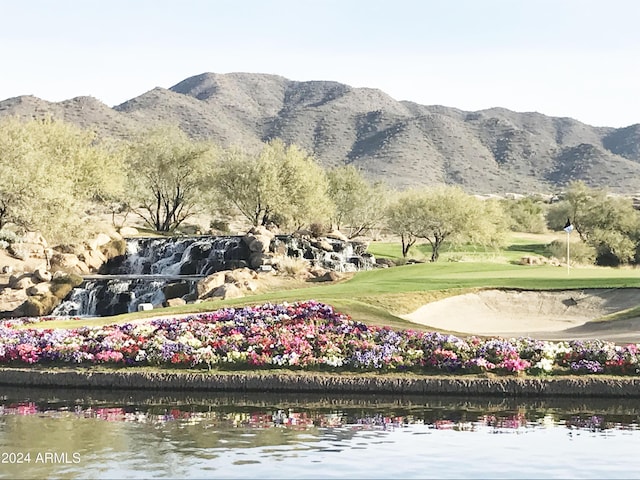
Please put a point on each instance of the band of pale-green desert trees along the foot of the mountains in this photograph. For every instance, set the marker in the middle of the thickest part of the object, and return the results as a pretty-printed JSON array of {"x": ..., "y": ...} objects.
[{"x": 56, "y": 176}]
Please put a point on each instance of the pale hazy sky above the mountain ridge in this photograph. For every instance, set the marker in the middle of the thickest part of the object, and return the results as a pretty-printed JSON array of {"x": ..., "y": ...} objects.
[{"x": 571, "y": 58}]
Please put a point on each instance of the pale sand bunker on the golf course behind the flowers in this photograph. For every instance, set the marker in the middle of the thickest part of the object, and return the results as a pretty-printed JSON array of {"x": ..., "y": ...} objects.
[{"x": 545, "y": 315}]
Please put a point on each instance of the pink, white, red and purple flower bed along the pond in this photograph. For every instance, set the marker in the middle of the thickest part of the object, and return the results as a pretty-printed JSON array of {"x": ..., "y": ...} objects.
[{"x": 307, "y": 335}]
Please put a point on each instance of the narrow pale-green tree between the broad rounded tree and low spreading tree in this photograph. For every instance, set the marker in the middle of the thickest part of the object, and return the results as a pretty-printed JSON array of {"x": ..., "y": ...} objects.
[{"x": 358, "y": 203}]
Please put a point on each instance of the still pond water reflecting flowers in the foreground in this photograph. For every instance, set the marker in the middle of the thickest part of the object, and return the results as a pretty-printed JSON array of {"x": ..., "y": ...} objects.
[{"x": 98, "y": 434}]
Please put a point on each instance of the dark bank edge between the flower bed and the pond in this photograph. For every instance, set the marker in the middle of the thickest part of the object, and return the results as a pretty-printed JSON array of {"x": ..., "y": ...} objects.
[{"x": 577, "y": 386}]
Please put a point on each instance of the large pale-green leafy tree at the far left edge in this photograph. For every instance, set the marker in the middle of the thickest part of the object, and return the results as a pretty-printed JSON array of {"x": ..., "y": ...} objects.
[{"x": 50, "y": 172}]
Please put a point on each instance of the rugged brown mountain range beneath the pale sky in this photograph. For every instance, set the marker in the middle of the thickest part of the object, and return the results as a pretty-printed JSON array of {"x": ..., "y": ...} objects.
[{"x": 403, "y": 143}]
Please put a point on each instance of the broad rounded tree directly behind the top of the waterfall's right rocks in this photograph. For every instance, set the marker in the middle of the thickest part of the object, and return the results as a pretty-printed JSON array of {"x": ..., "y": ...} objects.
[{"x": 281, "y": 184}]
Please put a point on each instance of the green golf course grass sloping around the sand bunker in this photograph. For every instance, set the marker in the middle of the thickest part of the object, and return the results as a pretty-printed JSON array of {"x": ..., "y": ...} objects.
[{"x": 378, "y": 296}]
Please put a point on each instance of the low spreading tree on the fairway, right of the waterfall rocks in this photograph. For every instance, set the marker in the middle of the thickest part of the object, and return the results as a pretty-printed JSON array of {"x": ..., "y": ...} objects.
[{"x": 444, "y": 213}]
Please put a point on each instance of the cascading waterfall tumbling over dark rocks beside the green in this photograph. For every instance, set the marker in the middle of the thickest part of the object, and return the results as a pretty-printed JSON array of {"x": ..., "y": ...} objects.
[{"x": 150, "y": 264}]
